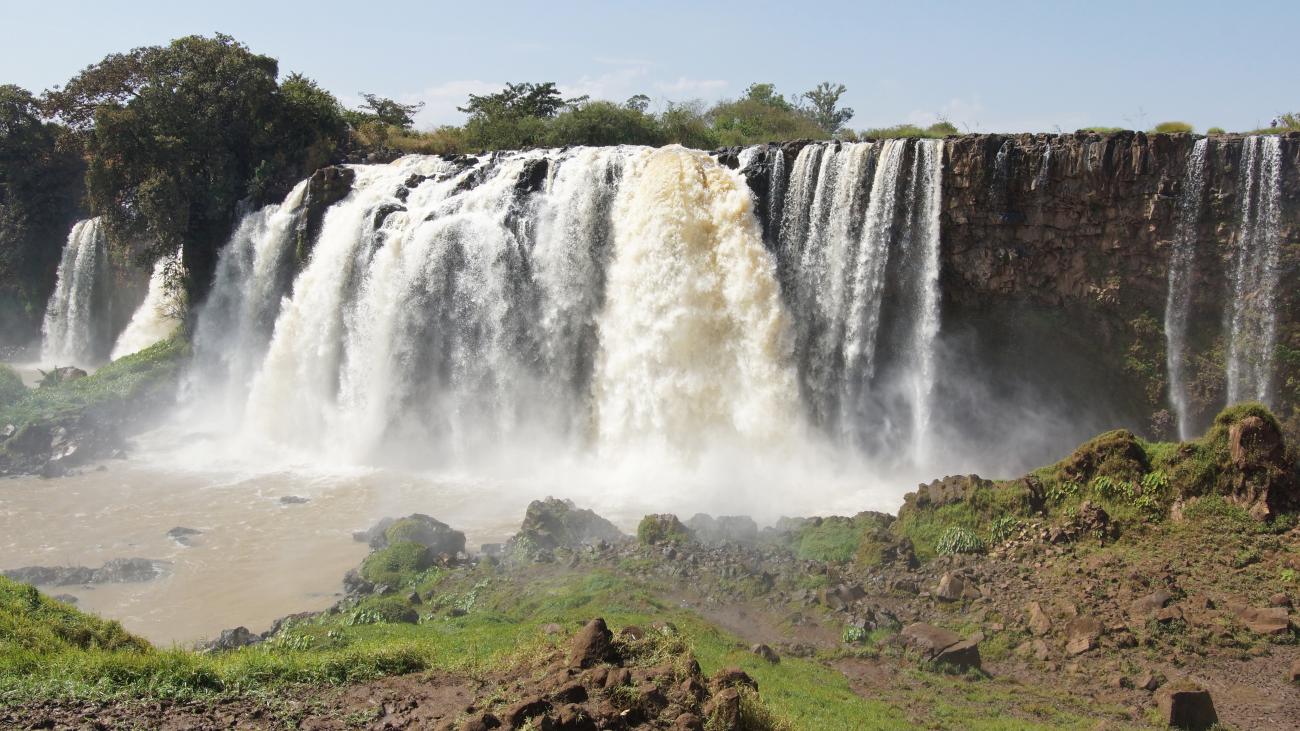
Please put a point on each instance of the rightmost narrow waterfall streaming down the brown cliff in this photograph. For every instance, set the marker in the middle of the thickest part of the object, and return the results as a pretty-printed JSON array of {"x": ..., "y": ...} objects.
[{"x": 1253, "y": 319}]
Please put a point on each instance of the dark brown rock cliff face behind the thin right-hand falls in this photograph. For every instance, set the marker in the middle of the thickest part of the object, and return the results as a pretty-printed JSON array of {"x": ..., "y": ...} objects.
[{"x": 1055, "y": 271}]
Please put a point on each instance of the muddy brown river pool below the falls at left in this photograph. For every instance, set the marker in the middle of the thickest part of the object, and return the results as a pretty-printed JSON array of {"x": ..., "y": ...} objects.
[{"x": 257, "y": 560}]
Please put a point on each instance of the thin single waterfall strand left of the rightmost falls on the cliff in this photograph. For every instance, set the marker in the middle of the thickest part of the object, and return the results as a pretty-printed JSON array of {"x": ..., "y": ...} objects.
[{"x": 1180, "y": 295}]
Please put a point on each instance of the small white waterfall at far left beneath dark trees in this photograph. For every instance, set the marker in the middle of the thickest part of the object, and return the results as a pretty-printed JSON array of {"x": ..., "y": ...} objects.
[{"x": 75, "y": 330}]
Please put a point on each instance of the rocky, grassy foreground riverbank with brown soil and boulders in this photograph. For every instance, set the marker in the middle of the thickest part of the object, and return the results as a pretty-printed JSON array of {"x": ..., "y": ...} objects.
[{"x": 1130, "y": 586}]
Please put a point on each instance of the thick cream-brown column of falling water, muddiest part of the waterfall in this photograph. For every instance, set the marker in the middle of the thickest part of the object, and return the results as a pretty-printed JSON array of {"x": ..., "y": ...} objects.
[{"x": 694, "y": 338}]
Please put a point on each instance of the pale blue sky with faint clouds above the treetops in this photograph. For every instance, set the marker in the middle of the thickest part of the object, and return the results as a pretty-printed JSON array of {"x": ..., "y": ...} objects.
[{"x": 987, "y": 67}]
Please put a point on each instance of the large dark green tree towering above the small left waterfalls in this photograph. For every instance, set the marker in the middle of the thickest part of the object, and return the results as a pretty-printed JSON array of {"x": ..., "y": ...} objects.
[{"x": 179, "y": 135}]
